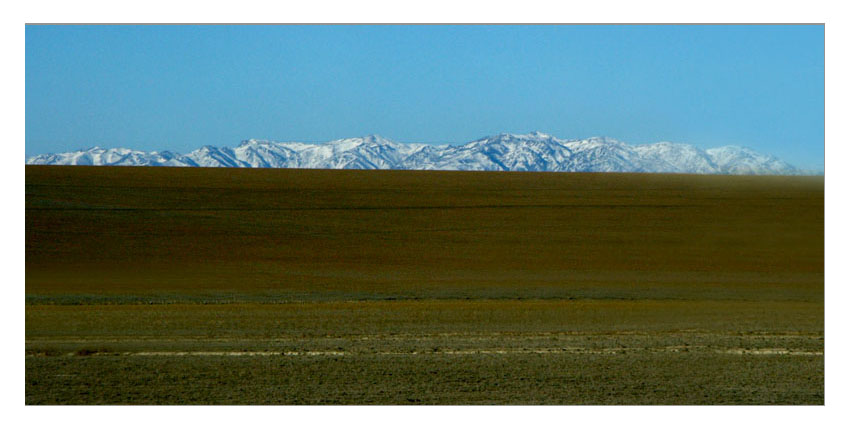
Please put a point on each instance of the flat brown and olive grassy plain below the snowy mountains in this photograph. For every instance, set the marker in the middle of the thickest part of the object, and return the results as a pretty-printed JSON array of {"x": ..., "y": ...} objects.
[{"x": 232, "y": 286}]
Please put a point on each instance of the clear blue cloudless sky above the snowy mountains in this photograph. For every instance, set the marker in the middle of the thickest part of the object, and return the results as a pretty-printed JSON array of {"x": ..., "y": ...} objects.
[{"x": 181, "y": 87}]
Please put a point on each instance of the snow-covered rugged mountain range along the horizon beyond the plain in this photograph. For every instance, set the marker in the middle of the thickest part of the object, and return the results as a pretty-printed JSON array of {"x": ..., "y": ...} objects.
[{"x": 508, "y": 152}]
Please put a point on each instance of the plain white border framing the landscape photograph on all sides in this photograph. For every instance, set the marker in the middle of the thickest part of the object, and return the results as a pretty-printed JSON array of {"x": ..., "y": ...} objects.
[{"x": 438, "y": 11}]
